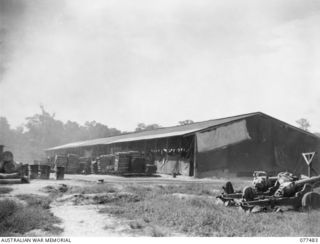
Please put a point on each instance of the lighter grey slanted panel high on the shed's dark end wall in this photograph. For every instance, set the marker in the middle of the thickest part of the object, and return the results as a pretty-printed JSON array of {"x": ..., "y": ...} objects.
[{"x": 222, "y": 136}]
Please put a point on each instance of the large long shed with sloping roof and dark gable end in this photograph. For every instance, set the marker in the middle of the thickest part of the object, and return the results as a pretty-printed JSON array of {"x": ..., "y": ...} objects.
[{"x": 235, "y": 145}]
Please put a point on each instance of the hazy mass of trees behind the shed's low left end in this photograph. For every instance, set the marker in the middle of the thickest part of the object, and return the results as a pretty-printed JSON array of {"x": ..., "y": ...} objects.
[{"x": 43, "y": 130}]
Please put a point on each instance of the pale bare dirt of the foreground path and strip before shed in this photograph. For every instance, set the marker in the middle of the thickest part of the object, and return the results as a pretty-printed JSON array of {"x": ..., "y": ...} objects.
[{"x": 85, "y": 219}]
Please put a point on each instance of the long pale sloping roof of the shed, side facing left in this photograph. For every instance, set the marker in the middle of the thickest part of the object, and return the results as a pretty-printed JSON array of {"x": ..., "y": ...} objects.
[{"x": 154, "y": 134}]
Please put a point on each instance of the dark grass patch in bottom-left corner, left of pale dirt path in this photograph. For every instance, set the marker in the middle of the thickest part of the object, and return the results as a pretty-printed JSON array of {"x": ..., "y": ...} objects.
[{"x": 17, "y": 218}]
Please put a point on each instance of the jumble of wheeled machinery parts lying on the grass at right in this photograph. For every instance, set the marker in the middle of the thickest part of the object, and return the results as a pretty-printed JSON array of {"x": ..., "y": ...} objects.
[{"x": 283, "y": 192}]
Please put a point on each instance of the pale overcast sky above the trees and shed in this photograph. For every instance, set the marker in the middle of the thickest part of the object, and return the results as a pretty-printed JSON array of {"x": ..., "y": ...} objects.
[{"x": 123, "y": 62}]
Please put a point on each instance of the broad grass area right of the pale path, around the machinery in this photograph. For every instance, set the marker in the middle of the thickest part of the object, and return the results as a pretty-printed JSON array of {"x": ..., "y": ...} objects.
[{"x": 202, "y": 217}]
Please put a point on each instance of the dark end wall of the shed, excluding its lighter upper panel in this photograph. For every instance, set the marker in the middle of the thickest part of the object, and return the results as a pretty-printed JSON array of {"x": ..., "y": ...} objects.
[{"x": 273, "y": 147}]
